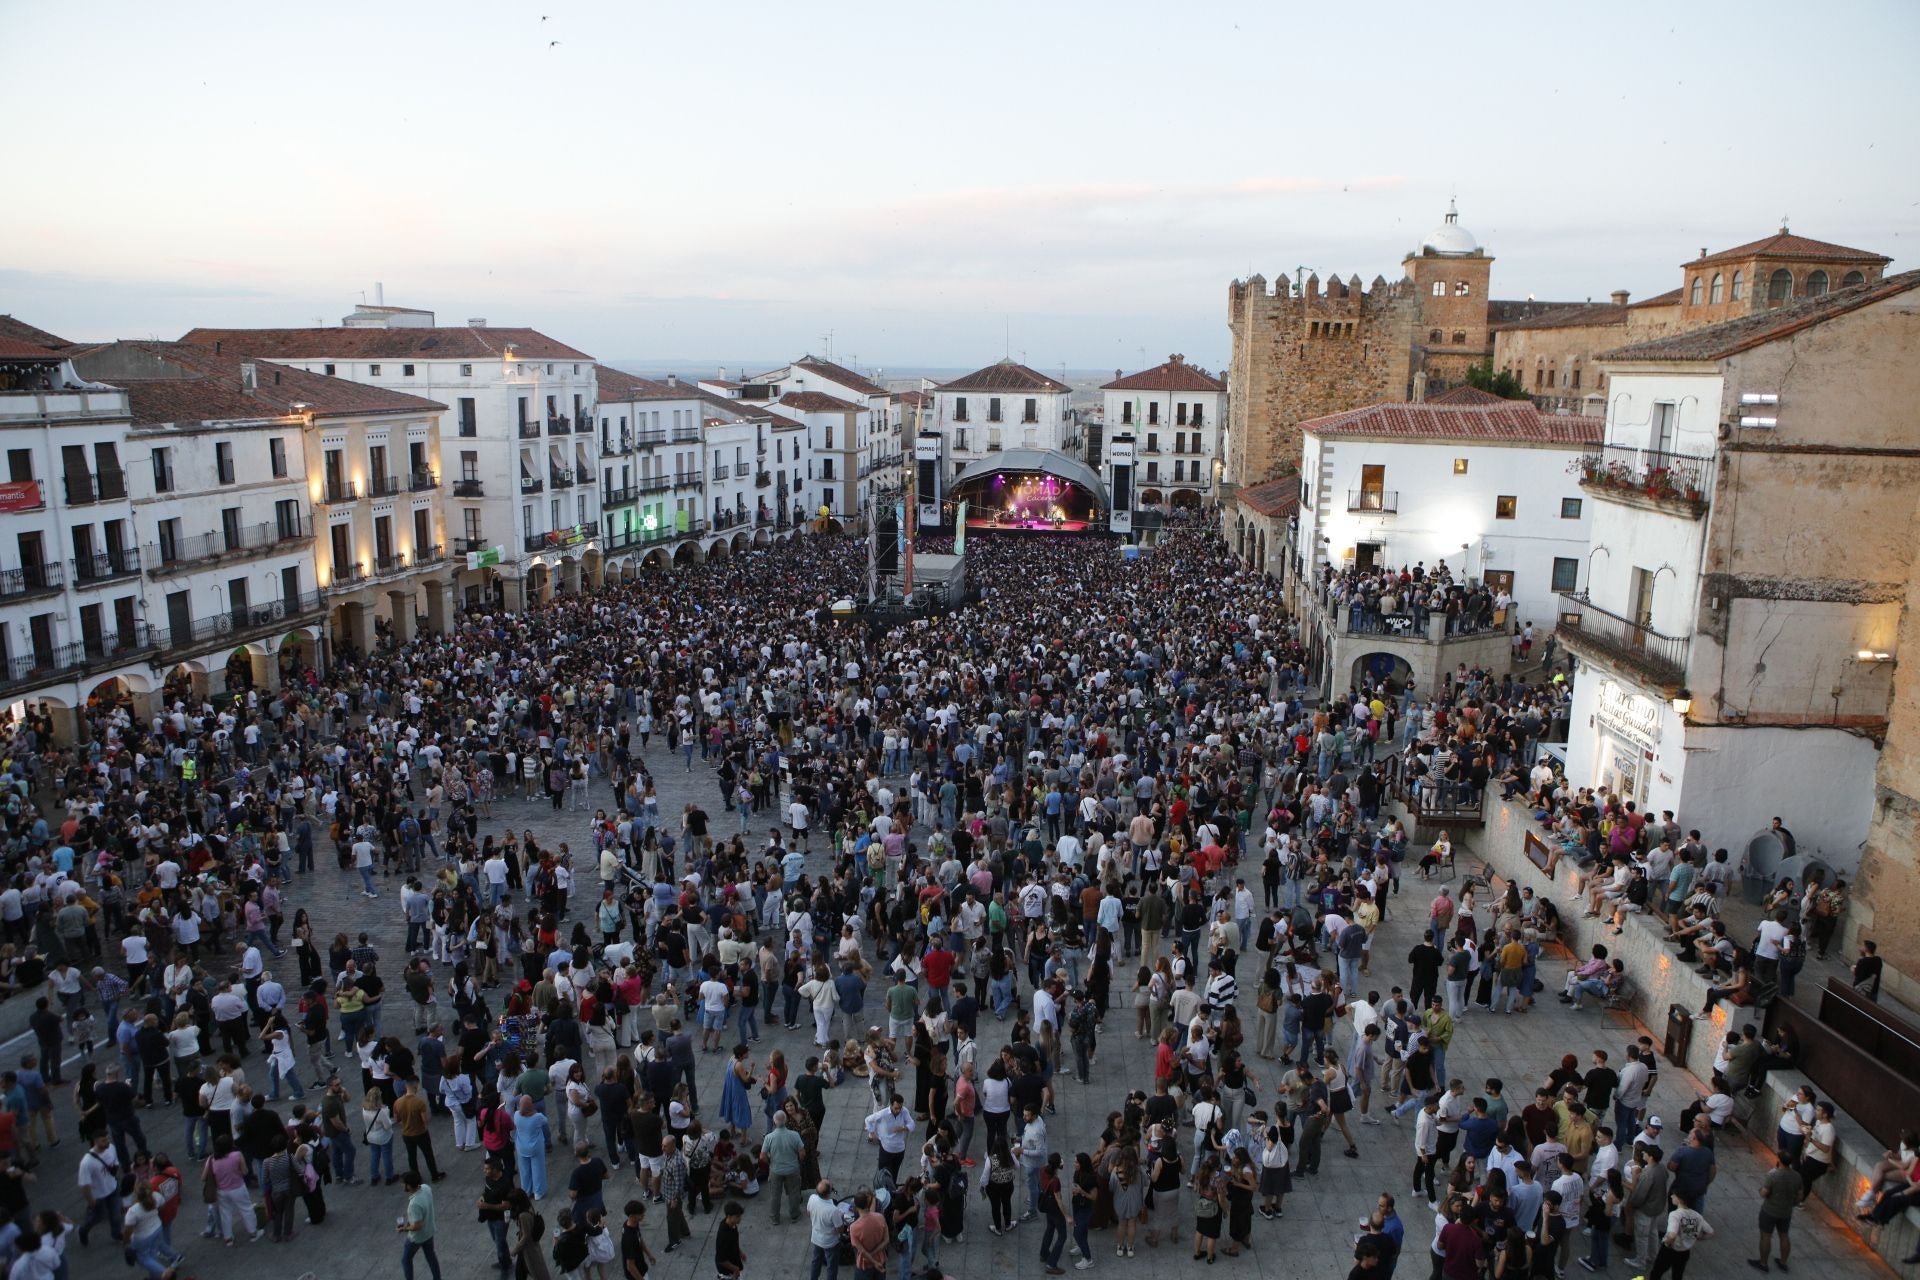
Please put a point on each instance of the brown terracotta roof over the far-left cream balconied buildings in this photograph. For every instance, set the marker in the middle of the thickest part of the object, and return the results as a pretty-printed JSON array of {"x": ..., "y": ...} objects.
[{"x": 193, "y": 385}]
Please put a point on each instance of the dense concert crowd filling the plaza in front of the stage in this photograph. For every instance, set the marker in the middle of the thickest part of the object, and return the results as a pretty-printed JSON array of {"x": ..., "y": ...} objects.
[{"x": 1051, "y": 801}]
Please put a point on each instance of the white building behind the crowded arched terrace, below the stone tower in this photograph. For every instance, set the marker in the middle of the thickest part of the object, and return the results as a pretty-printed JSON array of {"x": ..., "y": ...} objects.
[{"x": 1491, "y": 490}]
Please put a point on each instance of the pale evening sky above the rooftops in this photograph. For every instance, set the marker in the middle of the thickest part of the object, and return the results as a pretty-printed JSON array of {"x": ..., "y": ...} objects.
[{"x": 934, "y": 185}]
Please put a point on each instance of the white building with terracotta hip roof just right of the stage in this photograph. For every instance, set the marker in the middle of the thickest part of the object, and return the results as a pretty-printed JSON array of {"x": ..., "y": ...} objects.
[{"x": 1176, "y": 414}]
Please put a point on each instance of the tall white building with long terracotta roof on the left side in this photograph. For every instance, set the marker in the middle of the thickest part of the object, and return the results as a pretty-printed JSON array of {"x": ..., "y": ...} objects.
[{"x": 521, "y": 446}]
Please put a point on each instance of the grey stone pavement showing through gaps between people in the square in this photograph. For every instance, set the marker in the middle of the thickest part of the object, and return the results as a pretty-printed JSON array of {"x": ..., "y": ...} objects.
[{"x": 1312, "y": 1241}]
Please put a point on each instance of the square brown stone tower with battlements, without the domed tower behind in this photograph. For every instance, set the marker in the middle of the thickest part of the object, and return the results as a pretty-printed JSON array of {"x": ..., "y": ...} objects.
[{"x": 1307, "y": 352}]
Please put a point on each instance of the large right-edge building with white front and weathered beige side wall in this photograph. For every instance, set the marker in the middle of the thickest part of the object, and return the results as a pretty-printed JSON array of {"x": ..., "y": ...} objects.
[{"x": 1750, "y": 556}]
